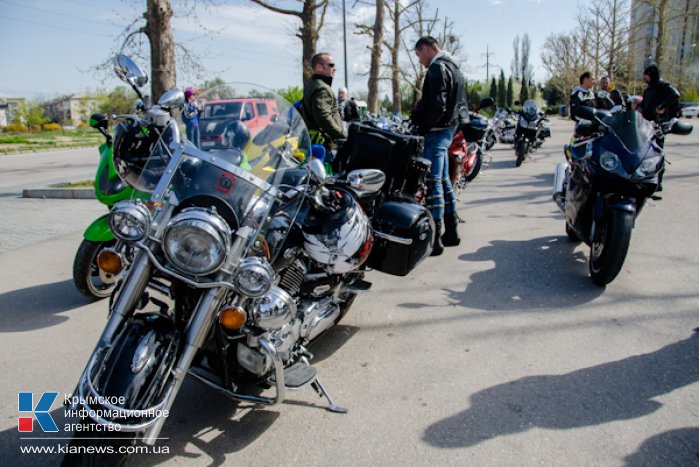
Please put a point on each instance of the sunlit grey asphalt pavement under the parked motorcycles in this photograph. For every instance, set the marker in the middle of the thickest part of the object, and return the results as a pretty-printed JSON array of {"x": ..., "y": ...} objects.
[{"x": 499, "y": 352}]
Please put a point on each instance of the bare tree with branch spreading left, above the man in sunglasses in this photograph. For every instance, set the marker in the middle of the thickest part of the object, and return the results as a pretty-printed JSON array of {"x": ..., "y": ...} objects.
[{"x": 311, "y": 24}]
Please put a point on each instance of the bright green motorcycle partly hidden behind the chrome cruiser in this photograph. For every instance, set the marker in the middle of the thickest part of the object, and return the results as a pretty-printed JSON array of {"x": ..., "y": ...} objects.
[{"x": 88, "y": 278}]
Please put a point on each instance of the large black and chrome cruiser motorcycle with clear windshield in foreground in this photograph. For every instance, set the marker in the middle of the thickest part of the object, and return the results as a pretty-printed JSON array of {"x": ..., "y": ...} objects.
[{"x": 234, "y": 271}]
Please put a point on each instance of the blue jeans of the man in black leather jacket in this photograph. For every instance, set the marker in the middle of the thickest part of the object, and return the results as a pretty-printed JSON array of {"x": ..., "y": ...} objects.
[{"x": 441, "y": 199}]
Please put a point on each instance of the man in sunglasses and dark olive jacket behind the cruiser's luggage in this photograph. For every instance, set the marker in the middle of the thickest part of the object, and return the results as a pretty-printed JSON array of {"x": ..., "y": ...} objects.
[{"x": 319, "y": 106}]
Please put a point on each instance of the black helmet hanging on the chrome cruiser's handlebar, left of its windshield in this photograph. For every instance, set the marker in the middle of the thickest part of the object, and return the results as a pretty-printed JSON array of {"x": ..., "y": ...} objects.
[{"x": 132, "y": 148}]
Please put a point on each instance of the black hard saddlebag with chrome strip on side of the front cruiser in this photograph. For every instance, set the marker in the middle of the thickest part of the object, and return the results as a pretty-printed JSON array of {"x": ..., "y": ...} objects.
[{"x": 403, "y": 237}]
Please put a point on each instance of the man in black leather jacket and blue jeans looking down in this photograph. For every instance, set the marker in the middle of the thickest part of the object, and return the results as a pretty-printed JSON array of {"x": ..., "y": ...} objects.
[{"x": 435, "y": 117}]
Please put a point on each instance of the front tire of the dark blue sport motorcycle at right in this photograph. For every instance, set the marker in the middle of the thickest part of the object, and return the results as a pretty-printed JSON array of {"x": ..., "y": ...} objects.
[{"x": 608, "y": 254}]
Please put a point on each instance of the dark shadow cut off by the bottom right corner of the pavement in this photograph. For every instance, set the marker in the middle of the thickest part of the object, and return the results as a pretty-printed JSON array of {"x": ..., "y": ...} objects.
[{"x": 675, "y": 447}]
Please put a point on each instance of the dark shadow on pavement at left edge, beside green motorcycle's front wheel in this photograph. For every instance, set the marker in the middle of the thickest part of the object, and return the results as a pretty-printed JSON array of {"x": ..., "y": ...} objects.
[{"x": 37, "y": 307}]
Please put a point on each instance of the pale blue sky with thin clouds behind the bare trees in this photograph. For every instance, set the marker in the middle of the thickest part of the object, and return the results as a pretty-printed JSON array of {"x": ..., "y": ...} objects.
[{"x": 50, "y": 47}]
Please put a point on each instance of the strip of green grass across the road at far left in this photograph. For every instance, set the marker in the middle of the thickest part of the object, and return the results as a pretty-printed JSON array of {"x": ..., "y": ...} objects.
[{"x": 14, "y": 142}]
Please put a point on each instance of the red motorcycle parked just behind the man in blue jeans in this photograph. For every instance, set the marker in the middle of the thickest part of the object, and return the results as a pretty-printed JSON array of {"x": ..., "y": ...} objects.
[{"x": 466, "y": 152}]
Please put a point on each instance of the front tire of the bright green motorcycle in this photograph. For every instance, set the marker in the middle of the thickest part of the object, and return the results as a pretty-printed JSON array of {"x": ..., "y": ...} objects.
[{"x": 88, "y": 279}]
